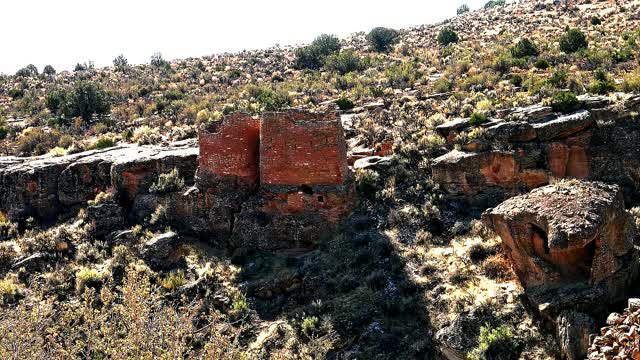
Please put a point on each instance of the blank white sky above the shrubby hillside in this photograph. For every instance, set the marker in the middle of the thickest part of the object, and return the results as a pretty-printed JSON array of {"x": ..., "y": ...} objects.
[{"x": 65, "y": 32}]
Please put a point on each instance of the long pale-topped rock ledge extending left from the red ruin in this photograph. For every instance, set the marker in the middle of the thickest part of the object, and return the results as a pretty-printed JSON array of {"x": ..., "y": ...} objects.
[{"x": 44, "y": 187}]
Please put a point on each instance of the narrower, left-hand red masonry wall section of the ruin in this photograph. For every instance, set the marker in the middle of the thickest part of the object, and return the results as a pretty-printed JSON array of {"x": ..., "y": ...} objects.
[{"x": 231, "y": 148}]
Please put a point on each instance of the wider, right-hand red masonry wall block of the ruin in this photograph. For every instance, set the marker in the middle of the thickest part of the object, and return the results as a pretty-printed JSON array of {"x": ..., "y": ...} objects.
[{"x": 299, "y": 148}]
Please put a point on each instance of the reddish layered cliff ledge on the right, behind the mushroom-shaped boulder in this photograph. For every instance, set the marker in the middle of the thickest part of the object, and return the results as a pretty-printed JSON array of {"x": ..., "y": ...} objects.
[{"x": 529, "y": 147}]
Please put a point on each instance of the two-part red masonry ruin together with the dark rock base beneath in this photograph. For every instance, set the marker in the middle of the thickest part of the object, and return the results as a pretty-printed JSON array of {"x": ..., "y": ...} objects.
[{"x": 289, "y": 170}]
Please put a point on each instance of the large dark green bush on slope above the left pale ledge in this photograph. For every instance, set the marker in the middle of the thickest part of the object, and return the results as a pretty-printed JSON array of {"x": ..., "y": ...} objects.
[{"x": 83, "y": 99}]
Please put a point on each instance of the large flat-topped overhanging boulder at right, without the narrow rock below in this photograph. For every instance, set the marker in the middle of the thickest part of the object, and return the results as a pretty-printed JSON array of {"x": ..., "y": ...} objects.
[{"x": 569, "y": 232}]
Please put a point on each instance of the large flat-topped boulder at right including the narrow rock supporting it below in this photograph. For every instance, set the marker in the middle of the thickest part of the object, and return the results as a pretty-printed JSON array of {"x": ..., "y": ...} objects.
[{"x": 571, "y": 244}]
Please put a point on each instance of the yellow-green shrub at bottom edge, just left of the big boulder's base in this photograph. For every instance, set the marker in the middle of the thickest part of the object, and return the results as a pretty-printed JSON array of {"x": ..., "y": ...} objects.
[{"x": 497, "y": 343}]
